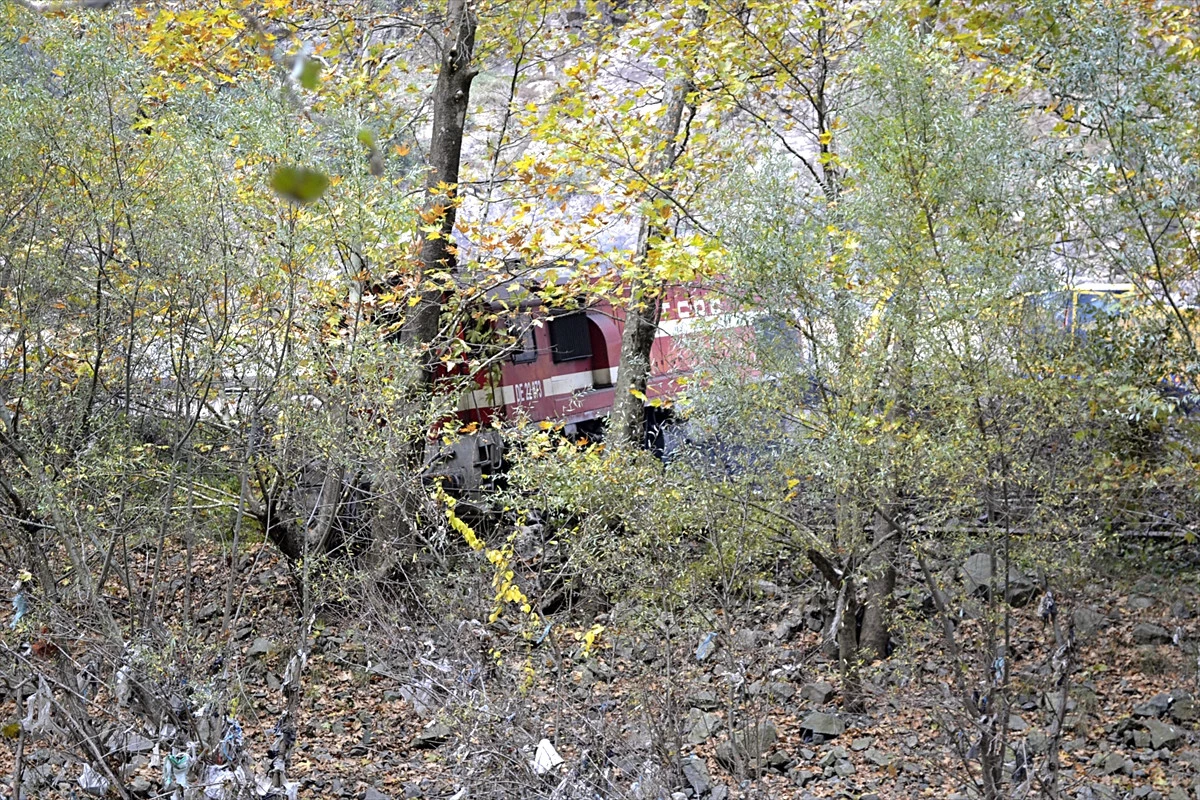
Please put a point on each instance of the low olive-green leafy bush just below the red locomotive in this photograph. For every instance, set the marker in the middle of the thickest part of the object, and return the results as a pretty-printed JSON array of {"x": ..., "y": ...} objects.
[{"x": 633, "y": 527}]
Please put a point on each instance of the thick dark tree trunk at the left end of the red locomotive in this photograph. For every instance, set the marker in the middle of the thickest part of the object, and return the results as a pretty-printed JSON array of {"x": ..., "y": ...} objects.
[{"x": 452, "y": 97}]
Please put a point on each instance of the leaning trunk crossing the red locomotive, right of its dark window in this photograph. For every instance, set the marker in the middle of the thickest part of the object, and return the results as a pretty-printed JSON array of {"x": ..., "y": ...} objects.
[{"x": 627, "y": 425}]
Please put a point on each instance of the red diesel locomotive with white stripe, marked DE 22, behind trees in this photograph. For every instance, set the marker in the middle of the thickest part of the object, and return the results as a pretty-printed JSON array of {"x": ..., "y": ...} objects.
[{"x": 563, "y": 369}]
